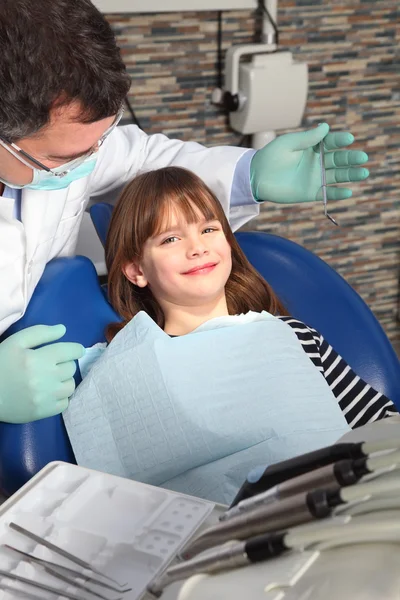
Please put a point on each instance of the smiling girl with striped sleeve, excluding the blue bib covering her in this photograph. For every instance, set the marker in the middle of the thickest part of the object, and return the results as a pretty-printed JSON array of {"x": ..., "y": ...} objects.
[{"x": 171, "y": 252}]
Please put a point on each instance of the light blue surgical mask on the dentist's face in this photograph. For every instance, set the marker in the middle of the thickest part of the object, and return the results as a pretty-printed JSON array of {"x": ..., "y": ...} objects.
[{"x": 47, "y": 180}]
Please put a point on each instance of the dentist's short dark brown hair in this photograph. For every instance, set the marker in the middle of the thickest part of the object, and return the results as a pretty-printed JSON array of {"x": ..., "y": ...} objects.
[{"x": 53, "y": 52}]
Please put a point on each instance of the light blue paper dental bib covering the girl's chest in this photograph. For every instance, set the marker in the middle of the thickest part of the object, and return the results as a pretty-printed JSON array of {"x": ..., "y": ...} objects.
[{"x": 196, "y": 413}]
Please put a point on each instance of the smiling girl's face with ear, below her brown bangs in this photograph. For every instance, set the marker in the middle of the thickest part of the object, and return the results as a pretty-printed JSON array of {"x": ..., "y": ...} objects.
[{"x": 187, "y": 264}]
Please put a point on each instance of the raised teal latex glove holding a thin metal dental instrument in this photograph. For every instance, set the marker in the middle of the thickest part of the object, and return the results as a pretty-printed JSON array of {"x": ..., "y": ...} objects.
[{"x": 287, "y": 170}]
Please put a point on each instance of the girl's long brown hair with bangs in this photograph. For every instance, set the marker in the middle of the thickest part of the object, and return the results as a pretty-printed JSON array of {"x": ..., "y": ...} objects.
[{"x": 140, "y": 213}]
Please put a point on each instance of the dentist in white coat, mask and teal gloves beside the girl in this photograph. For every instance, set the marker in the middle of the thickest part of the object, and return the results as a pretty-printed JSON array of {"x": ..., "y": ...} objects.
[{"x": 62, "y": 88}]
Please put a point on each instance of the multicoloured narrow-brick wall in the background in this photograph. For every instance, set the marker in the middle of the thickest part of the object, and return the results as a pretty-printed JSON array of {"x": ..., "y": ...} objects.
[{"x": 352, "y": 49}]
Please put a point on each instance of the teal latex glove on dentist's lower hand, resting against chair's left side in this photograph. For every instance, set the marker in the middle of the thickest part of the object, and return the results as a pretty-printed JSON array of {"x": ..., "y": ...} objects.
[{"x": 35, "y": 384}]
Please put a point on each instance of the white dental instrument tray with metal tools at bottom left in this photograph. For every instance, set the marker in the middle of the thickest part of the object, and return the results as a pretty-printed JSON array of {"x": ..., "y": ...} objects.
[{"x": 127, "y": 531}]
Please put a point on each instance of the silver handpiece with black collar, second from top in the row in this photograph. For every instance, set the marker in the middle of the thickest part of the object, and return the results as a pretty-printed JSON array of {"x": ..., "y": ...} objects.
[{"x": 345, "y": 472}]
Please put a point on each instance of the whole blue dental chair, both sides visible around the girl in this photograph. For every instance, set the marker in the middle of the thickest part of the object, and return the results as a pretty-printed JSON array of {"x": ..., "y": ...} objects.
[{"x": 69, "y": 293}]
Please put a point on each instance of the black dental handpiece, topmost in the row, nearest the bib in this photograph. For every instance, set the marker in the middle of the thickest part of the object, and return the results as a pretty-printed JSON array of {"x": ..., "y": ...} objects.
[{"x": 298, "y": 465}]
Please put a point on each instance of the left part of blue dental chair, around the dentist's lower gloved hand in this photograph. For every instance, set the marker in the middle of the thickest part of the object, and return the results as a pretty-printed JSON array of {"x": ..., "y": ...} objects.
[{"x": 69, "y": 293}]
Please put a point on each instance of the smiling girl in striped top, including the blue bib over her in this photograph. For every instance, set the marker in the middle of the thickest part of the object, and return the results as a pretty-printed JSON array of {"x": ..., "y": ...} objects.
[{"x": 206, "y": 376}]
